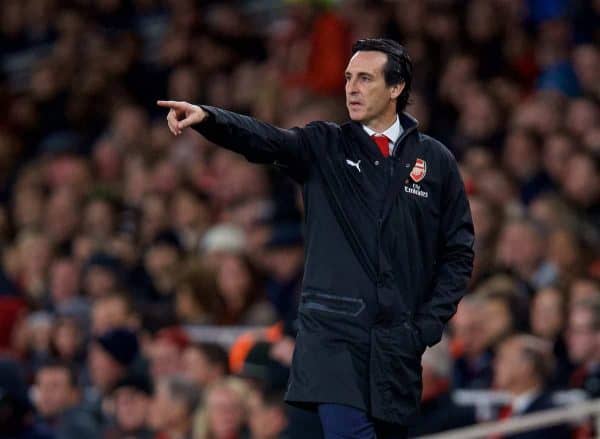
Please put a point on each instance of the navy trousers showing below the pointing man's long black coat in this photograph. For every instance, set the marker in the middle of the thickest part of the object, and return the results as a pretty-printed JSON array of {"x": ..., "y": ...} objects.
[{"x": 344, "y": 422}]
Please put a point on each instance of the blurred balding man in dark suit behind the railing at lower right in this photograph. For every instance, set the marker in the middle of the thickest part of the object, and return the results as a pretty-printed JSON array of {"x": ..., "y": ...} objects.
[{"x": 522, "y": 367}]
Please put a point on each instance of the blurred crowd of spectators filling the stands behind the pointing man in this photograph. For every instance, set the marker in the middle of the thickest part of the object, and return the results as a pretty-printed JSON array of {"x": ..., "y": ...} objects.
[{"x": 117, "y": 239}]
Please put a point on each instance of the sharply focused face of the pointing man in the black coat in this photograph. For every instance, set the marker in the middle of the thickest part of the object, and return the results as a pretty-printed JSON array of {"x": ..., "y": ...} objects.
[{"x": 367, "y": 95}]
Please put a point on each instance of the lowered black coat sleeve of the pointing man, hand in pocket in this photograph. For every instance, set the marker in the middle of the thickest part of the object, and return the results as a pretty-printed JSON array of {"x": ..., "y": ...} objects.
[{"x": 454, "y": 261}]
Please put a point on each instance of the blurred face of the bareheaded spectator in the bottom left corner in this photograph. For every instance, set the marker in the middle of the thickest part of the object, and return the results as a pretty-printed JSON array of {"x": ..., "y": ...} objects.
[{"x": 54, "y": 391}]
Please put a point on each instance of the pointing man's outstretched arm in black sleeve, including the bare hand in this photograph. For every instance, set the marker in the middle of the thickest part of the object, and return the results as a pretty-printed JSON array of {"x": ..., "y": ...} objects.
[{"x": 258, "y": 141}]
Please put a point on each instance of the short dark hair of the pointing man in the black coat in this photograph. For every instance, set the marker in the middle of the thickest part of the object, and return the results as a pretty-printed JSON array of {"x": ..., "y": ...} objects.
[{"x": 397, "y": 69}]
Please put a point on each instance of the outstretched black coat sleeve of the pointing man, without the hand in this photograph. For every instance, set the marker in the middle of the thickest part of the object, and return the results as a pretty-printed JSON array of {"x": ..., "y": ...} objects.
[{"x": 258, "y": 141}]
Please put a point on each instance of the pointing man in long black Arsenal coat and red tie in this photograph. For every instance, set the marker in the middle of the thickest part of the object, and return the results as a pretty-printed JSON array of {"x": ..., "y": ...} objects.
[{"x": 388, "y": 242}]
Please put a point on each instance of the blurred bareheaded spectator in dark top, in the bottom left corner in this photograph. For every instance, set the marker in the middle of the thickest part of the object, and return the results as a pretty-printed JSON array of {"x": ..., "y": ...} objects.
[{"x": 57, "y": 397}]
